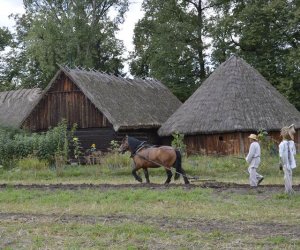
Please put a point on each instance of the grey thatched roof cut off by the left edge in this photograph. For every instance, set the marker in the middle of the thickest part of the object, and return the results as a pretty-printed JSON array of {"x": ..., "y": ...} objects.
[{"x": 15, "y": 105}]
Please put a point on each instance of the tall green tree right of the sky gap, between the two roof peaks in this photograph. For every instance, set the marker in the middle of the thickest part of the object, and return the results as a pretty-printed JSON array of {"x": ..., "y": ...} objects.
[{"x": 169, "y": 44}]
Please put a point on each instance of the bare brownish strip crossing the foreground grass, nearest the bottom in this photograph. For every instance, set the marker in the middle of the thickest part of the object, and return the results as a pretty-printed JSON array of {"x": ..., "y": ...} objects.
[{"x": 258, "y": 230}]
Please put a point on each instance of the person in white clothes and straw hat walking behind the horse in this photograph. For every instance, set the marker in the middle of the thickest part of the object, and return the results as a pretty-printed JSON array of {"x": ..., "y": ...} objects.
[{"x": 253, "y": 159}]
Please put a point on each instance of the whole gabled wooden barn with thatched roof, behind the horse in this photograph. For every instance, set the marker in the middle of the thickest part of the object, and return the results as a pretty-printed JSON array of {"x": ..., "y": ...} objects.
[{"x": 104, "y": 107}]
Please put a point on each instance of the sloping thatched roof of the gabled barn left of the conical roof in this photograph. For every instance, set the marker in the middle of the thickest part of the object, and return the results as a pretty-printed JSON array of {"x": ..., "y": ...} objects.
[{"x": 126, "y": 103}]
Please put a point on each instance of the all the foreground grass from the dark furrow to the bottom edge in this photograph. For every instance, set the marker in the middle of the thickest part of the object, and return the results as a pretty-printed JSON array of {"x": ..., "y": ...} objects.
[{"x": 145, "y": 219}]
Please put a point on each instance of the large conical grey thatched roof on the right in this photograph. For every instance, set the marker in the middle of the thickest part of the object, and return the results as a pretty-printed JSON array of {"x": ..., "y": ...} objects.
[{"x": 235, "y": 97}]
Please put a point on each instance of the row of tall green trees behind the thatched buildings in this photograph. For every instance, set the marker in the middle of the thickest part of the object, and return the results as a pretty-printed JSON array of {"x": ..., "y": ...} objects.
[{"x": 179, "y": 42}]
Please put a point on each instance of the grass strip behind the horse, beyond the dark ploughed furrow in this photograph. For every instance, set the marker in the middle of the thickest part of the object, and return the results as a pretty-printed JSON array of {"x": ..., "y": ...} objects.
[{"x": 228, "y": 169}]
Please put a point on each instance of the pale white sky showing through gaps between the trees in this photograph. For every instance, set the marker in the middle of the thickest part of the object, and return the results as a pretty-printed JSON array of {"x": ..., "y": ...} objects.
[{"x": 135, "y": 13}]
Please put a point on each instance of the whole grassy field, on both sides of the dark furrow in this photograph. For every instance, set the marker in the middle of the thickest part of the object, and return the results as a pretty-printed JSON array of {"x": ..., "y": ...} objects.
[{"x": 116, "y": 212}]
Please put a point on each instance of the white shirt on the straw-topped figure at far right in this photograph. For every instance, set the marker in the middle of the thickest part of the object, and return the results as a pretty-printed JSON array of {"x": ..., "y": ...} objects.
[{"x": 287, "y": 152}]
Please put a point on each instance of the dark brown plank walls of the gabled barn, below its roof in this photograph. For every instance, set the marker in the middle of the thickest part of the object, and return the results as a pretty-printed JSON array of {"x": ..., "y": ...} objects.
[{"x": 64, "y": 100}]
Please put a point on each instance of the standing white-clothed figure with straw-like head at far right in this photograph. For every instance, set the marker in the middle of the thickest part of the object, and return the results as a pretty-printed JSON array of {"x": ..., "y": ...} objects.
[{"x": 287, "y": 152}]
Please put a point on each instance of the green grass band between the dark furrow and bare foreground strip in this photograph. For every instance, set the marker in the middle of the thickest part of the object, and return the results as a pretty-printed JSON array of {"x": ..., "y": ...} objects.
[{"x": 173, "y": 203}]
